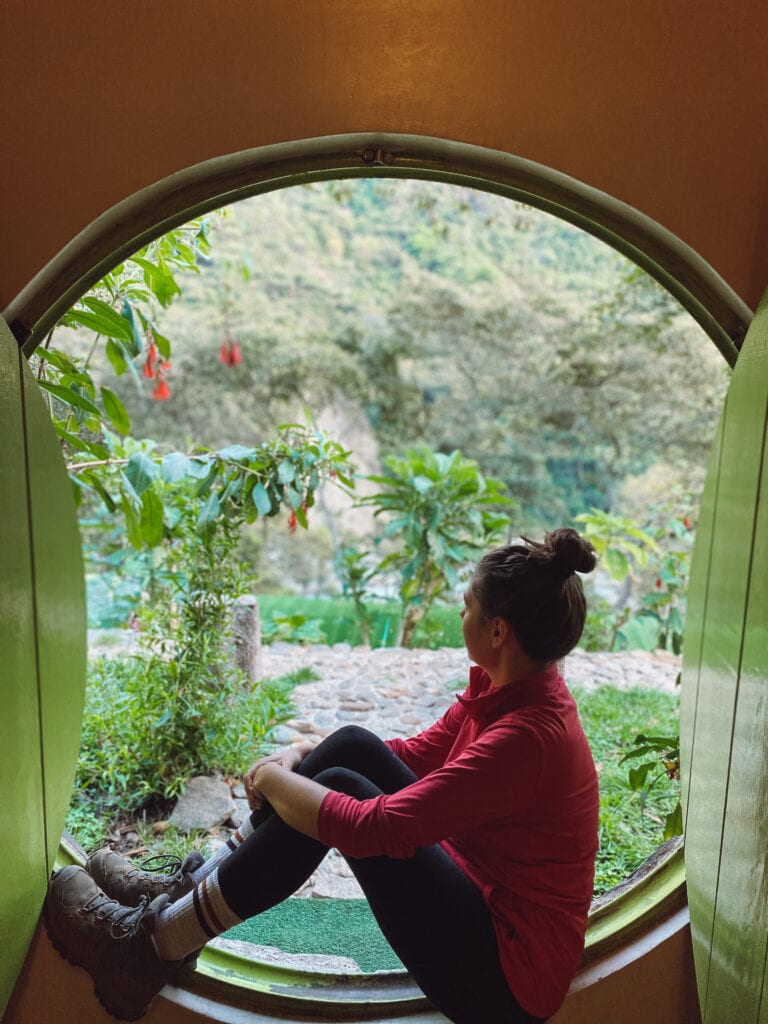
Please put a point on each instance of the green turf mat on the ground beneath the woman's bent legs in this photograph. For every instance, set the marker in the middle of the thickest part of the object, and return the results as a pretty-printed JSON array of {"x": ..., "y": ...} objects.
[{"x": 330, "y": 927}]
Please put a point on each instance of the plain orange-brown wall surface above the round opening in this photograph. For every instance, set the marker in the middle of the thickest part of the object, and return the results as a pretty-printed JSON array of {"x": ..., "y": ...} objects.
[{"x": 659, "y": 104}]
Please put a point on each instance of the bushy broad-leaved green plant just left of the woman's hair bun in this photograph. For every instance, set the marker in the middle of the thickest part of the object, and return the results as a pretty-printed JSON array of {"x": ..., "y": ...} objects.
[{"x": 444, "y": 514}]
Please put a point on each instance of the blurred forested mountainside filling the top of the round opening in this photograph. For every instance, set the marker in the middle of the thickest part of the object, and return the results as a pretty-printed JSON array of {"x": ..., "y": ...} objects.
[{"x": 447, "y": 316}]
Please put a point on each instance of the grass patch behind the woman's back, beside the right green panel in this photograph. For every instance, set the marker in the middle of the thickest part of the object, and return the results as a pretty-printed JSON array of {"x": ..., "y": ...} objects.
[{"x": 612, "y": 719}]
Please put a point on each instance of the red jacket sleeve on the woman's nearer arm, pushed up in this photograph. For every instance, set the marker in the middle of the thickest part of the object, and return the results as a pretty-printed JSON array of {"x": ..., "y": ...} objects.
[{"x": 496, "y": 777}]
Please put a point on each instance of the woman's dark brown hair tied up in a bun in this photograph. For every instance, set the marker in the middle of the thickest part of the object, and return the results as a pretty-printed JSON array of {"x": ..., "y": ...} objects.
[{"x": 534, "y": 587}]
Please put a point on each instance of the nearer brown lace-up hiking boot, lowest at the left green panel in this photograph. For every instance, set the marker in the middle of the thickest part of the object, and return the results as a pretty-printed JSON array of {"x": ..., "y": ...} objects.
[{"x": 113, "y": 943}]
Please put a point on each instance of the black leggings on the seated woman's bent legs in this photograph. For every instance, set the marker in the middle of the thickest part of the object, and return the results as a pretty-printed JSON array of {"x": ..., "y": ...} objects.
[{"x": 431, "y": 913}]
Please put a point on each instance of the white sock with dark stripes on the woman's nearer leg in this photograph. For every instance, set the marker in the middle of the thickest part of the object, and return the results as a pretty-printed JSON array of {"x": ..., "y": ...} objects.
[{"x": 187, "y": 925}]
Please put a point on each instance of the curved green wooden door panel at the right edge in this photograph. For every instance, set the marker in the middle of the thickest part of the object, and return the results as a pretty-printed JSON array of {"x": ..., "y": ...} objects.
[{"x": 724, "y": 715}]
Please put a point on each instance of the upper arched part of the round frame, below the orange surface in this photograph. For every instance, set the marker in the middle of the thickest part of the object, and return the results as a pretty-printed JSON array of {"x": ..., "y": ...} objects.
[{"x": 205, "y": 187}]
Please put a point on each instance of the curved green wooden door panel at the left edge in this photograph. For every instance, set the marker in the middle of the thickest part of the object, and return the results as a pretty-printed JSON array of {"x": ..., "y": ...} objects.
[{"x": 42, "y": 653}]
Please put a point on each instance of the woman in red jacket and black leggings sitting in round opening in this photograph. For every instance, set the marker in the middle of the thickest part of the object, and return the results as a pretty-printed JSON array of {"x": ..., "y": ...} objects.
[{"x": 475, "y": 842}]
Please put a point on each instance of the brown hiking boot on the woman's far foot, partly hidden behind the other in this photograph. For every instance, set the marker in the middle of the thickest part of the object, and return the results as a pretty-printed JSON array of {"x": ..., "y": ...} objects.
[{"x": 130, "y": 884}]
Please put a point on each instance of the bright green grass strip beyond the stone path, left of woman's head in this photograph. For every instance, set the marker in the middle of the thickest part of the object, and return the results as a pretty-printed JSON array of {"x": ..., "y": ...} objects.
[{"x": 335, "y": 619}]
